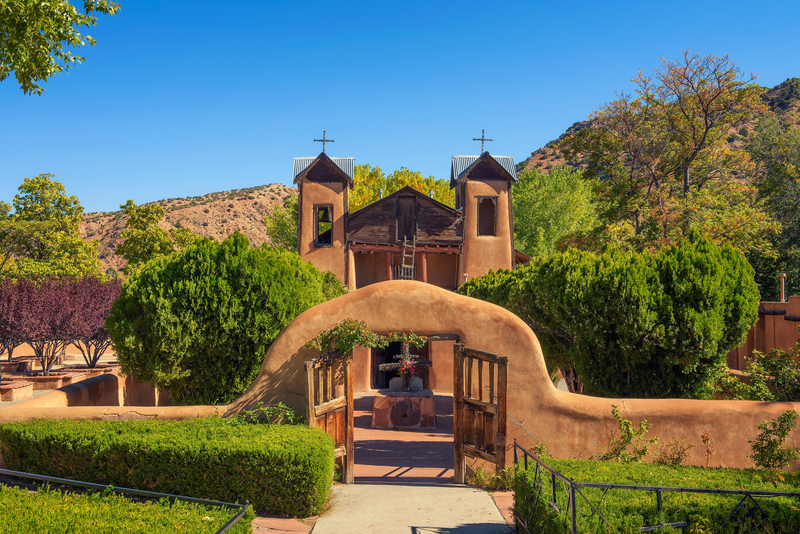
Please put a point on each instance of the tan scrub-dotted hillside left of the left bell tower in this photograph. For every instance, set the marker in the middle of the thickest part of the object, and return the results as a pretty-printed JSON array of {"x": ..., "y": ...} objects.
[{"x": 215, "y": 215}]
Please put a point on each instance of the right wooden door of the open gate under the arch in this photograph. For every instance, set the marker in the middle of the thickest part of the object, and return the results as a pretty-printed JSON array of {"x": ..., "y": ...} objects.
[{"x": 479, "y": 408}]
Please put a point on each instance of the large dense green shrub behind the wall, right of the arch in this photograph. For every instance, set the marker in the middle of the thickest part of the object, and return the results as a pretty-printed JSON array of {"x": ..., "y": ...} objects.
[{"x": 631, "y": 324}]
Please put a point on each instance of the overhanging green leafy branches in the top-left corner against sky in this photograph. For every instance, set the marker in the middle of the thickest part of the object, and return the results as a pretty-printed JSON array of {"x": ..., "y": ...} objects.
[{"x": 37, "y": 37}]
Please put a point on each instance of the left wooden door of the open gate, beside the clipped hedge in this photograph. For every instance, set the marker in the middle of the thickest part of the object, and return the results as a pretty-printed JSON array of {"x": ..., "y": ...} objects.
[{"x": 330, "y": 403}]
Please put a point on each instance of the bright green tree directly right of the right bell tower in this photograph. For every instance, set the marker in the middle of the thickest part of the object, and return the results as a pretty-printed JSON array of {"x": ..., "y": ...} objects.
[{"x": 550, "y": 206}]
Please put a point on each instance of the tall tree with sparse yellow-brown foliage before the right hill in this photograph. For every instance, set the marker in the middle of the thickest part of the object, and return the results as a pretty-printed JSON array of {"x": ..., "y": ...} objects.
[{"x": 660, "y": 161}]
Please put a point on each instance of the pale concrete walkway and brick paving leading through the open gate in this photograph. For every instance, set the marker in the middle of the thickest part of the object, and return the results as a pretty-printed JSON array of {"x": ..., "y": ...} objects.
[{"x": 403, "y": 485}]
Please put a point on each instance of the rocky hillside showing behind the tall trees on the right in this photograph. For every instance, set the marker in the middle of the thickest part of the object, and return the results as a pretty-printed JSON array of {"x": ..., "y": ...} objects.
[{"x": 783, "y": 99}]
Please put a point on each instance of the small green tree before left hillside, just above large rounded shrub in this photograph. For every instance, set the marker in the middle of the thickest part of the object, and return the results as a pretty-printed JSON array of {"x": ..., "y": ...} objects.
[{"x": 143, "y": 238}]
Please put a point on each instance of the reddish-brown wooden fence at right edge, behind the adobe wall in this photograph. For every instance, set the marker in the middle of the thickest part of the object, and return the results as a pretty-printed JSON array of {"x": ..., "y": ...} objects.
[{"x": 776, "y": 328}]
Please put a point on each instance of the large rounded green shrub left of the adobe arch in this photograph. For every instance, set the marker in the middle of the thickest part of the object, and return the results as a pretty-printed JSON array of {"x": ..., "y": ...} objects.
[{"x": 198, "y": 323}]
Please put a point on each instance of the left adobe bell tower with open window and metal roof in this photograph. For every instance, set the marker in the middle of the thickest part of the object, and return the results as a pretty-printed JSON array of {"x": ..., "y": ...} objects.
[{"x": 323, "y": 205}]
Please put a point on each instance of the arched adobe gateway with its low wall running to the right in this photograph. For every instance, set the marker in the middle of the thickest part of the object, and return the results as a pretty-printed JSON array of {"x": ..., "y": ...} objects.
[{"x": 570, "y": 425}]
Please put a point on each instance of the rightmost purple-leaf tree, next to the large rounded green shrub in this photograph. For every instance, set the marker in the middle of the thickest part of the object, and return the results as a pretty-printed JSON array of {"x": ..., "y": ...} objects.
[{"x": 88, "y": 327}]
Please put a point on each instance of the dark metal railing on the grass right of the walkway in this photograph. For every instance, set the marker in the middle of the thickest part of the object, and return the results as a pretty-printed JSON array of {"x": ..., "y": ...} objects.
[{"x": 574, "y": 489}]
